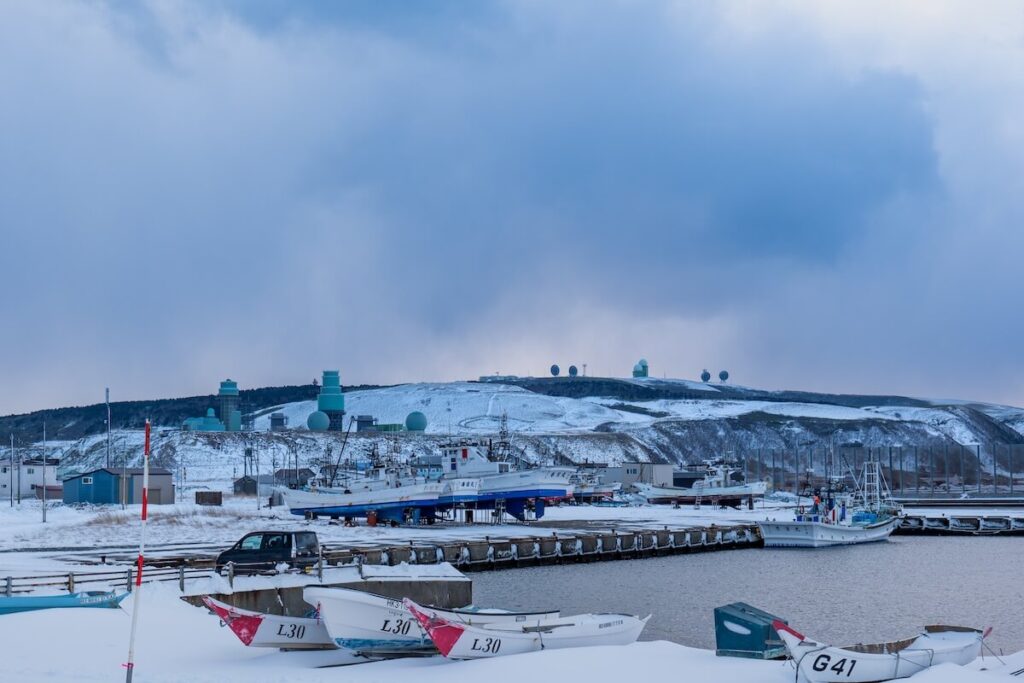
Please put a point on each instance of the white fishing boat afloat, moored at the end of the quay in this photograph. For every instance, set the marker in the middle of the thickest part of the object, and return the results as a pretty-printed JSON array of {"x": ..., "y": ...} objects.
[{"x": 867, "y": 517}]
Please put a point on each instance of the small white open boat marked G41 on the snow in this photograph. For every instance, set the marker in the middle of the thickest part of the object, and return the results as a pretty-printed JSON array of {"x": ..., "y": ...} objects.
[{"x": 819, "y": 663}]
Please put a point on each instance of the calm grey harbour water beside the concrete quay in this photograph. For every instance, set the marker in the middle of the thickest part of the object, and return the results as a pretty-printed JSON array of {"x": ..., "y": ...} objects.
[{"x": 871, "y": 593}]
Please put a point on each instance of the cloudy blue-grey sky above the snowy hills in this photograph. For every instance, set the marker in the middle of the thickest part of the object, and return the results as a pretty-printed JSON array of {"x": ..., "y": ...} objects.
[{"x": 817, "y": 196}]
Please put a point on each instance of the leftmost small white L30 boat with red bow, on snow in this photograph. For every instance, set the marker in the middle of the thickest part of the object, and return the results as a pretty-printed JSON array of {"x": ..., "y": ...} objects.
[{"x": 263, "y": 630}]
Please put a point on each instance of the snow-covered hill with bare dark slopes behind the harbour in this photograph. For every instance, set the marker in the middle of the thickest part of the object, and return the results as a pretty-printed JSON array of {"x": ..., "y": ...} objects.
[{"x": 564, "y": 429}]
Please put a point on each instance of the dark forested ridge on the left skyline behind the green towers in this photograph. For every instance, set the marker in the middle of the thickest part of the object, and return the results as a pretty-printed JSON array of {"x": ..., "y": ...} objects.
[{"x": 77, "y": 422}]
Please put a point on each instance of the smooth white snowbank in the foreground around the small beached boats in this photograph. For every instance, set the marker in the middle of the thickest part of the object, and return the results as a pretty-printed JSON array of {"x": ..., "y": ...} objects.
[{"x": 179, "y": 643}]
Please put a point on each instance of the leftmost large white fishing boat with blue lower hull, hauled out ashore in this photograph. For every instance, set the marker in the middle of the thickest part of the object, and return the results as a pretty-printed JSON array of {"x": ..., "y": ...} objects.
[{"x": 386, "y": 491}]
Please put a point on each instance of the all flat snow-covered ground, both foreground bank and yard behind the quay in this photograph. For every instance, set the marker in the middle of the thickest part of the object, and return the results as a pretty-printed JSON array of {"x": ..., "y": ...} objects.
[{"x": 179, "y": 643}]
